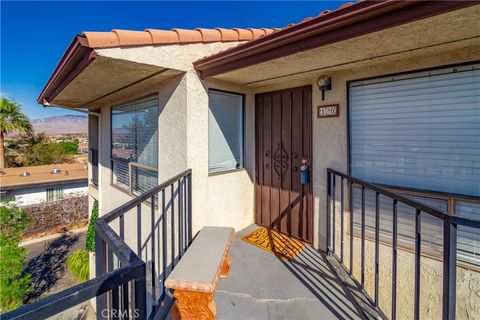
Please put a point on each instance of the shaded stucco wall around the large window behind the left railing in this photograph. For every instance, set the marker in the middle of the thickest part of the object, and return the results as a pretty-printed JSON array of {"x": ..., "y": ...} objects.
[{"x": 172, "y": 160}]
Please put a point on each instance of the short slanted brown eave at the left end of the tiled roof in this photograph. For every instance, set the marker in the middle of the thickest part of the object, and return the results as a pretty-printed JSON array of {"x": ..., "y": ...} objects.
[{"x": 75, "y": 59}]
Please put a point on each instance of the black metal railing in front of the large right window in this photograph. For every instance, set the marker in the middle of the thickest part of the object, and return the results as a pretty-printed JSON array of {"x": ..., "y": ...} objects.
[{"x": 450, "y": 223}]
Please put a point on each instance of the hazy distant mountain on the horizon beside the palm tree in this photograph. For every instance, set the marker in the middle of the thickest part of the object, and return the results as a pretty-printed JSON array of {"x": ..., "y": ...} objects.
[{"x": 61, "y": 124}]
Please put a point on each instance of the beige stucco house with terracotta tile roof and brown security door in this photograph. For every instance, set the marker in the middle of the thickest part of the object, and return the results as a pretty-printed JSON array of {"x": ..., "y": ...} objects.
[{"x": 386, "y": 91}]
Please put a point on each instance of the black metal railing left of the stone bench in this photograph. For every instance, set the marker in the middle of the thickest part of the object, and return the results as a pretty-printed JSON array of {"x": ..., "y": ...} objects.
[{"x": 121, "y": 285}]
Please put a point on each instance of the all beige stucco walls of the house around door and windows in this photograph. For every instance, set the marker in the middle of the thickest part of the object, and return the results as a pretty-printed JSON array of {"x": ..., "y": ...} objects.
[{"x": 228, "y": 199}]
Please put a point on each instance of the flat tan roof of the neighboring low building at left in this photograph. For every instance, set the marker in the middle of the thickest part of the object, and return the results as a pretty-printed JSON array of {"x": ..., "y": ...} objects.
[{"x": 12, "y": 177}]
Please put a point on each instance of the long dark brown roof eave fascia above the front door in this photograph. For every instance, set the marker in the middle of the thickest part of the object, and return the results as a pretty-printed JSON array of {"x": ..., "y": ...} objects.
[{"x": 355, "y": 20}]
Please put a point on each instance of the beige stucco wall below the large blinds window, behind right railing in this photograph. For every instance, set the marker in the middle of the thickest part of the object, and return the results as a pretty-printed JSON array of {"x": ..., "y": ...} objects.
[{"x": 431, "y": 279}]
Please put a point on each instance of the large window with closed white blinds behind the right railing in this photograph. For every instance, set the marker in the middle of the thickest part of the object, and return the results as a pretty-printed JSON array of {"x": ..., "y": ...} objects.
[{"x": 421, "y": 131}]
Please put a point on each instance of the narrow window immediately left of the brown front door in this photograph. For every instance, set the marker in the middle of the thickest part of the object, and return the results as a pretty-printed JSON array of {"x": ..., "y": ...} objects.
[{"x": 226, "y": 125}]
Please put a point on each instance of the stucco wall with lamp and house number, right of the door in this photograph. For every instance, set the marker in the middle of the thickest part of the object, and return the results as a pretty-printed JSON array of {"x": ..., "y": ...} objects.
[{"x": 330, "y": 134}]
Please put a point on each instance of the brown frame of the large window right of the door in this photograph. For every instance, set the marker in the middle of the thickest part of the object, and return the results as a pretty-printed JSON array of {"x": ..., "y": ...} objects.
[{"x": 451, "y": 198}]
